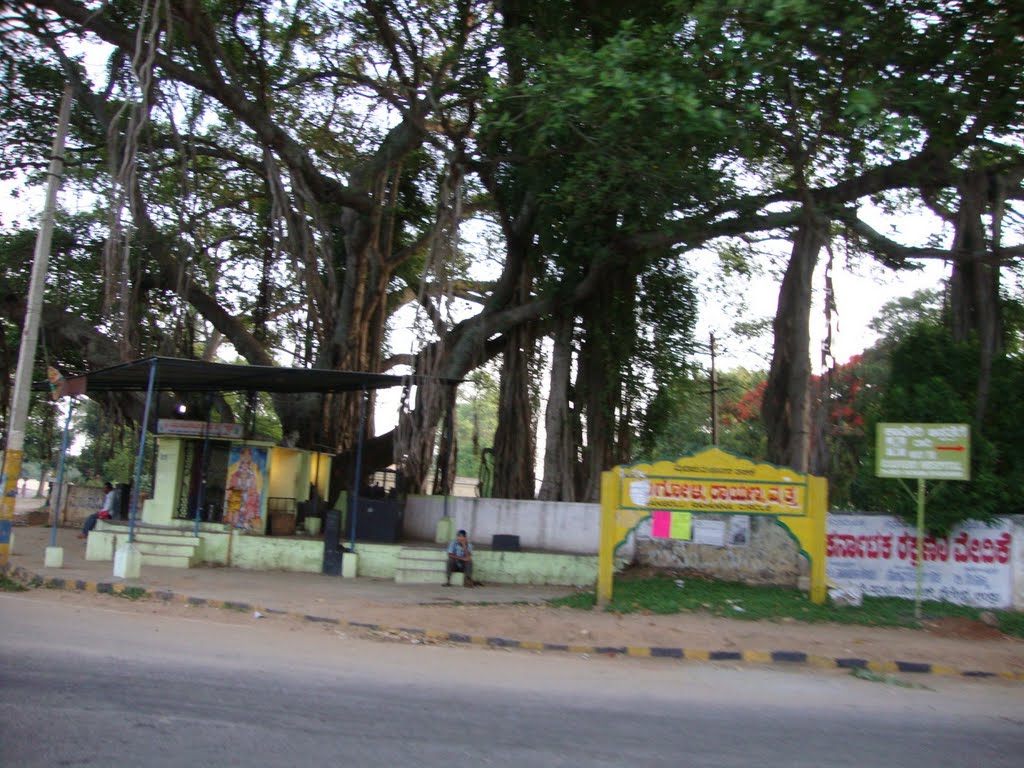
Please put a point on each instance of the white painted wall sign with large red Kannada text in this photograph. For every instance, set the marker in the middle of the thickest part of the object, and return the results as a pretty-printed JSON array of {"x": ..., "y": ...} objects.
[{"x": 879, "y": 554}]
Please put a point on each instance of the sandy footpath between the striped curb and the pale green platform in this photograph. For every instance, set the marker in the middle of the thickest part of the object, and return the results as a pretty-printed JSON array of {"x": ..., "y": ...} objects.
[{"x": 360, "y": 604}]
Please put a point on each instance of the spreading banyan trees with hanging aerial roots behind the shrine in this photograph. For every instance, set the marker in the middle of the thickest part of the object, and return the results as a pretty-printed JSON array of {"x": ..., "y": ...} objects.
[{"x": 295, "y": 182}]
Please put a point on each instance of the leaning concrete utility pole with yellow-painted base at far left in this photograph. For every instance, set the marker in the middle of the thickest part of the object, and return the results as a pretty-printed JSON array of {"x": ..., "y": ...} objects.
[{"x": 30, "y": 335}]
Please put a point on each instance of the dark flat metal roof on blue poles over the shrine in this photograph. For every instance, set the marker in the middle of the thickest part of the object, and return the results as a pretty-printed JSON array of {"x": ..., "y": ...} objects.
[{"x": 175, "y": 374}]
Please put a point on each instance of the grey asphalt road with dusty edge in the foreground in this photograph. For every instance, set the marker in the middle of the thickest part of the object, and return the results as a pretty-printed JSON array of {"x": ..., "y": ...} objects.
[{"x": 81, "y": 687}]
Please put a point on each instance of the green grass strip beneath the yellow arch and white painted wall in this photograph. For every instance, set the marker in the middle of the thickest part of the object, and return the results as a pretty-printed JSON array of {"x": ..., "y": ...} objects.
[{"x": 667, "y": 594}]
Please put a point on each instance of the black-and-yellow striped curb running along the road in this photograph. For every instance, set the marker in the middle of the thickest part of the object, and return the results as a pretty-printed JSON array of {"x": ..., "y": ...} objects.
[{"x": 779, "y": 658}]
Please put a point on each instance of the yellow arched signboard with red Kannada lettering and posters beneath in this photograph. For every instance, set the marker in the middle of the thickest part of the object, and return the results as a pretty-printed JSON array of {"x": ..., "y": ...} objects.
[{"x": 712, "y": 482}]
